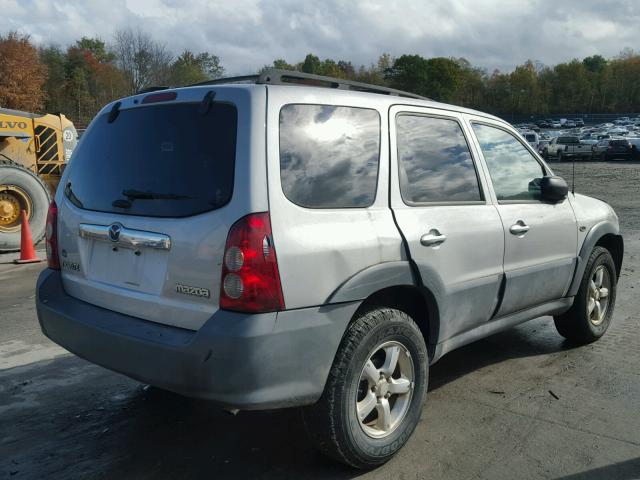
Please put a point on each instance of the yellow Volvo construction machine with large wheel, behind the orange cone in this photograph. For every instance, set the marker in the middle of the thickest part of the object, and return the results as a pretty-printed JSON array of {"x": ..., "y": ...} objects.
[{"x": 34, "y": 150}]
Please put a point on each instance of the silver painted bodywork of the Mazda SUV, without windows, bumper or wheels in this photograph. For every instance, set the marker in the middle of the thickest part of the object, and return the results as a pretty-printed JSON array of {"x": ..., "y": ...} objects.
[{"x": 331, "y": 256}]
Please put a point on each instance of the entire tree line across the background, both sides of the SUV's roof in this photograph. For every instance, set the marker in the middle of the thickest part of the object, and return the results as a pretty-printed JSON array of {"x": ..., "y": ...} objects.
[{"x": 79, "y": 79}]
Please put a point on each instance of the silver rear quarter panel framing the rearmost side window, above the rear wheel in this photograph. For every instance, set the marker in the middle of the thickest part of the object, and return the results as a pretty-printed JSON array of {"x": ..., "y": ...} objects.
[{"x": 321, "y": 249}]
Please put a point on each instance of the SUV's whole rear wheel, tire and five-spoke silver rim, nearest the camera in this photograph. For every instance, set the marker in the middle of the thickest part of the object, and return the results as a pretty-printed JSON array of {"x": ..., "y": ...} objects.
[{"x": 333, "y": 423}]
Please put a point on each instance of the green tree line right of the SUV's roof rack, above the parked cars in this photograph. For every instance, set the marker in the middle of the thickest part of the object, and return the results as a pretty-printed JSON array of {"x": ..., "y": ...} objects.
[{"x": 594, "y": 84}]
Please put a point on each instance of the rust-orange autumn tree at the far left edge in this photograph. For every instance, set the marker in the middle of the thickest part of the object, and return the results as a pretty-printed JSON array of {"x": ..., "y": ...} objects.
[{"x": 22, "y": 75}]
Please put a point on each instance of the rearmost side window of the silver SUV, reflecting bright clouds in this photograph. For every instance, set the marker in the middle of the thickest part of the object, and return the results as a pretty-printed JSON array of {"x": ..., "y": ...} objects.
[{"x": 329, "y": 155}]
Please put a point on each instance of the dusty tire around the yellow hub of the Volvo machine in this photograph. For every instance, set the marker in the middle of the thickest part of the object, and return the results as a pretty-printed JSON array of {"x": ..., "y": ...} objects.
[{"x": 13, "y": 174}]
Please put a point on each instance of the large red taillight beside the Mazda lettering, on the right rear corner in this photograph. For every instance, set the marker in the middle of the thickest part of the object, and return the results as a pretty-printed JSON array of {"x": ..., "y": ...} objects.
[{"x": 250, "y": 278}]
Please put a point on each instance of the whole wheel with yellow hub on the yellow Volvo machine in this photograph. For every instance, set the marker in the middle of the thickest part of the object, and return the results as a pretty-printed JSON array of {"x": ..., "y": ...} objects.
[{"x": 20, "y": 189}]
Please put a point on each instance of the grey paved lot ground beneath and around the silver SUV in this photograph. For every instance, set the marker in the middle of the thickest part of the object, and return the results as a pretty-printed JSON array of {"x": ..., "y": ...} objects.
[{"x": 521, "y": 404}]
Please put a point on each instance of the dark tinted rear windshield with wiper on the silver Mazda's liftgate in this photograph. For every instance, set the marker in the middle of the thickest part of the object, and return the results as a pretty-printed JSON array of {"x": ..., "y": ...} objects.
[{"x": 159, "y": 161}]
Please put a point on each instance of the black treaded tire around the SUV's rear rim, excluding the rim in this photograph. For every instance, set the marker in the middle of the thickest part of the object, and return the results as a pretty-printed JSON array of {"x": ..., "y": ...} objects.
[{"x": 332, "y": 423}]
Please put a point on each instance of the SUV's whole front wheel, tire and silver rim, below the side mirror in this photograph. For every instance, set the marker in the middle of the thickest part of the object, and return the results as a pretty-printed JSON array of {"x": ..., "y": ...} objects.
[{"x": 579, "y": 324}]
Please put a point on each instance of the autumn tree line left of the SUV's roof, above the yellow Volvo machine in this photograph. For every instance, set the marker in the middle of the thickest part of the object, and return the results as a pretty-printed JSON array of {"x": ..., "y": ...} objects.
[{"x": 80, "y": 79}]
